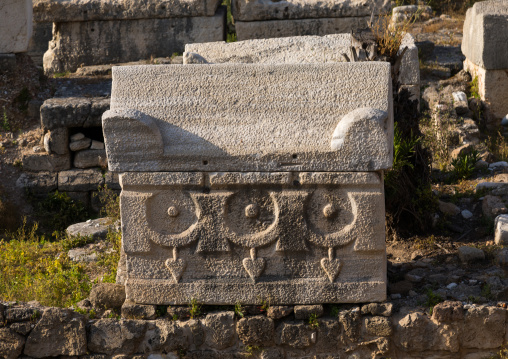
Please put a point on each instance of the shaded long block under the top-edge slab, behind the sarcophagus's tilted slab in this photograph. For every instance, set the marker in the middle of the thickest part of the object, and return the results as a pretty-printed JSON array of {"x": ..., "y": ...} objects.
[{"x": 246, "y": 30}]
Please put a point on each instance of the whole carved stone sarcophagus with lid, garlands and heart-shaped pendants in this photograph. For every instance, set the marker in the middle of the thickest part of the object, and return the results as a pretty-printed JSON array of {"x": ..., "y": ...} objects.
[{"x": 248, "y": 182}]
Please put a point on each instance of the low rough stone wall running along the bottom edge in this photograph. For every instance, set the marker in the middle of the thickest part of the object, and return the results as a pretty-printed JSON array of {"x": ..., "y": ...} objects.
[{"x": 376, "y": 330}]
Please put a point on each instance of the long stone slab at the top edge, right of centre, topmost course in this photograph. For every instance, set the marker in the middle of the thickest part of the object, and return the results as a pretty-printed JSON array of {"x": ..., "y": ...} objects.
[{"x": 248, "y": 10}]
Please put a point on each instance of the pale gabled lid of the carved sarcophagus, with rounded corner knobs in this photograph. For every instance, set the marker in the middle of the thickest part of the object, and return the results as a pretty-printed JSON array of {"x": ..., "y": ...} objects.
[{"x": 250, "y": 117}]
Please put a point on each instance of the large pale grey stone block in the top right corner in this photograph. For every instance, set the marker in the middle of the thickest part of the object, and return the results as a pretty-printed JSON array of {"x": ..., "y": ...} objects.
[{"x": 485, "y": 39}]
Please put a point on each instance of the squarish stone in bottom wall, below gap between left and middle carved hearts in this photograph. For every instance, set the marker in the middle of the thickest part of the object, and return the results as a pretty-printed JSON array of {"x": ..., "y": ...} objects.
[{"x": 219, "y": 329}]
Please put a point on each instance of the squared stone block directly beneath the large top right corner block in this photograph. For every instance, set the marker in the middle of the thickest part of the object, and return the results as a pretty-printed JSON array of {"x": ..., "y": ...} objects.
[{"x": 493, "y": 89}]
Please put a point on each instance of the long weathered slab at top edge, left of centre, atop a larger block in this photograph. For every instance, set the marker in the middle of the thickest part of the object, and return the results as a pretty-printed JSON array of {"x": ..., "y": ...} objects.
[{"x": 87, "y": 10}]
